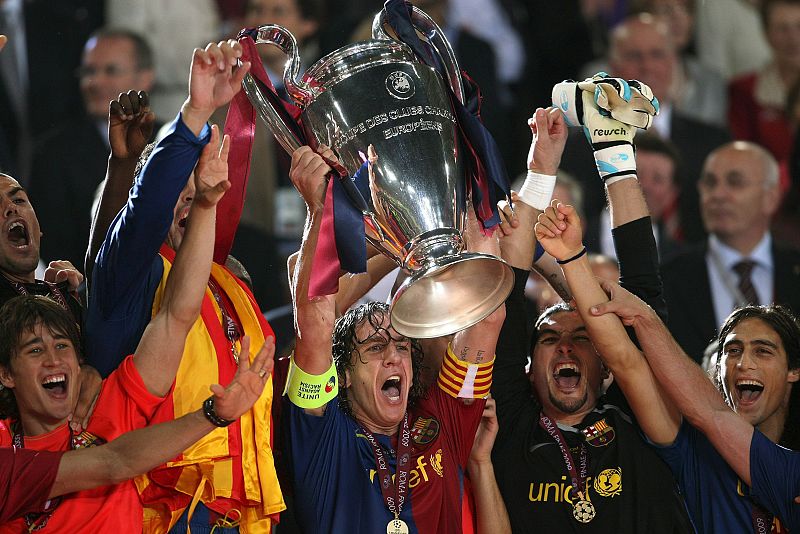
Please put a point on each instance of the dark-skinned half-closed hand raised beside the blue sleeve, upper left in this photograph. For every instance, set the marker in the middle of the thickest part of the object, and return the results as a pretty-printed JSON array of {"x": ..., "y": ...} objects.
[{"x": 130, "y": 124}]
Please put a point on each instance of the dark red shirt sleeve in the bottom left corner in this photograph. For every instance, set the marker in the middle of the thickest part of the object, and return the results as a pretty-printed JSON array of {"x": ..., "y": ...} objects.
[{"x": 26, "y": 477}]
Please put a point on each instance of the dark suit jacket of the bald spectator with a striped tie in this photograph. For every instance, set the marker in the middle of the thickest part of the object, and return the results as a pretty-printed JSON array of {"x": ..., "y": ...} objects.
[{"x": 688, "y": 293}]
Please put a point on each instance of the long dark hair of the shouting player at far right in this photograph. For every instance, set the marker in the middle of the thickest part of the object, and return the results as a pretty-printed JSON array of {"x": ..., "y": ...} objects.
[{"x": 787, "y": 327}]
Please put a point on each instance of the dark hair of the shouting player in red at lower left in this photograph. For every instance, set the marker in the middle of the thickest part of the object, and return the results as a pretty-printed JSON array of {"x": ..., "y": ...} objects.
[{"x": 20, "y": 315}]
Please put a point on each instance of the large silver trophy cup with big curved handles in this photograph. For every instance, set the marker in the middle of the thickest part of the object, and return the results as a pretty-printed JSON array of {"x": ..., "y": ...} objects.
[{"x": 377, "y": 93}]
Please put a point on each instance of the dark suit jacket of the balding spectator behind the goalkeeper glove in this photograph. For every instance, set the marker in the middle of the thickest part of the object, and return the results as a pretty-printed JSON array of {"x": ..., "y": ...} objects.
[{"x": 693, "y": 139}]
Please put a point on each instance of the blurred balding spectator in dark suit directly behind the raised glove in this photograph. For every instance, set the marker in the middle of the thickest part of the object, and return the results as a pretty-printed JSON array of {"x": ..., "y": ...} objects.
[{"x": 642, "y": 49}]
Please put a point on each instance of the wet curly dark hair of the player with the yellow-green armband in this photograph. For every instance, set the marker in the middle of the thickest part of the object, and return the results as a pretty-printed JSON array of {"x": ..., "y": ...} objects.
[{"x": 345, "y": 345}]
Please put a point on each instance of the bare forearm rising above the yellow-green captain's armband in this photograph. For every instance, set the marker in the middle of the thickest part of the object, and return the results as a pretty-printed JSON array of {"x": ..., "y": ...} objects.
[{"x": 314, "y": 316}]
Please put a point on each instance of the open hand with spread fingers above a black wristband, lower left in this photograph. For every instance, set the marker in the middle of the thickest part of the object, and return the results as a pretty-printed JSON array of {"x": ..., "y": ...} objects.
[{"x": 247, "y": 386}]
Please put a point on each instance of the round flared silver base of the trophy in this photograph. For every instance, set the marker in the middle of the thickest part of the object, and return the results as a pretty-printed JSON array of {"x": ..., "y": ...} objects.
[{"x": 455, "y": 293}]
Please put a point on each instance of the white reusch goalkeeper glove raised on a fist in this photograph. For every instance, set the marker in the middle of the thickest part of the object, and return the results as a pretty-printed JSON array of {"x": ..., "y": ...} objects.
[{"x": 610, "y": 110}]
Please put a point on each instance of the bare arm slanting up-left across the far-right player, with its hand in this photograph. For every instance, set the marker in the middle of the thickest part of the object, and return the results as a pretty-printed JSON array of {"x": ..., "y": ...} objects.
[{"x": 686, "y": 384}]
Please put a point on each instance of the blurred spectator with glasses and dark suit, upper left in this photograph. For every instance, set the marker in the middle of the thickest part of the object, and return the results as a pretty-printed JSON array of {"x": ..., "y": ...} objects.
[{"x": 70, "y": 160}]
